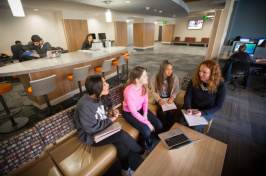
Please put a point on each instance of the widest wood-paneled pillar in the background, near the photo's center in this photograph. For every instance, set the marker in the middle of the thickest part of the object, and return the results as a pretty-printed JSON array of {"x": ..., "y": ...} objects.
[{"x": 143, "y": 34}]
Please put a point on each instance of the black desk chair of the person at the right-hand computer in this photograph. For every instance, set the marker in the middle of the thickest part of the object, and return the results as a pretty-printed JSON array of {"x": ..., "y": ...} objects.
[{"x": 239, "y": 69}]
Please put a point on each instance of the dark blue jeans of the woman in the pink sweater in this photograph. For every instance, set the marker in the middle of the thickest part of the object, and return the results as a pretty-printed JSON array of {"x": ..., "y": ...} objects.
[{"x": 144, "y": 130}]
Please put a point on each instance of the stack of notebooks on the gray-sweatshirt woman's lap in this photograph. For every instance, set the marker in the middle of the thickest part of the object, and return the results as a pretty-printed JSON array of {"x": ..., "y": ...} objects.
[{"x": 110, "y": 130}]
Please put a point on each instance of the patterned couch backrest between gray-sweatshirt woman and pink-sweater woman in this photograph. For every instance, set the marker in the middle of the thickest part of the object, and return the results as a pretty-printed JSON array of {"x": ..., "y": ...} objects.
[{"x": 116, "y": 94}]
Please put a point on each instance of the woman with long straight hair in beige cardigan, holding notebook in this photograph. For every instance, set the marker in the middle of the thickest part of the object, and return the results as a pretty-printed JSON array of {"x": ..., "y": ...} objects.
[{"x": 164, "y": 85}]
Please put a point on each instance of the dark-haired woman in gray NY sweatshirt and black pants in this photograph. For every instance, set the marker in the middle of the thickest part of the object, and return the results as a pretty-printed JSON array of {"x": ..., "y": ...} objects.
[{"x": 91, "y": 116}]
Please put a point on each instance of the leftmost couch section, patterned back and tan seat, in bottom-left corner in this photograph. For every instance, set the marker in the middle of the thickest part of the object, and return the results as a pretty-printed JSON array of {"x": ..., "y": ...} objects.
[{"x": 24, "y": 154}]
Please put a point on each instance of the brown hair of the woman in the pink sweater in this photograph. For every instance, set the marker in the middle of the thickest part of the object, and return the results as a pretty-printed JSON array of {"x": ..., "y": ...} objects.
[{"x": 136, "y": 73}]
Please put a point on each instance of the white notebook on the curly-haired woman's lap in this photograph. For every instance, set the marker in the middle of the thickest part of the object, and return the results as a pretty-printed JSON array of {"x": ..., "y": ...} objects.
[{"x": 193, "y": 120}]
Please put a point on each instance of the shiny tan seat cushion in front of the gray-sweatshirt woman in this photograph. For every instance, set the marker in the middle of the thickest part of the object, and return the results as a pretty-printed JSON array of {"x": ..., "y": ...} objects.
[{"x": 75, "y": 158}]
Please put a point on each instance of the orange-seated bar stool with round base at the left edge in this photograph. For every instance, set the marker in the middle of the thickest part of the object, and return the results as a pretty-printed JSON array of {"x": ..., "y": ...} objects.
[{"x": 14, "y": 123}]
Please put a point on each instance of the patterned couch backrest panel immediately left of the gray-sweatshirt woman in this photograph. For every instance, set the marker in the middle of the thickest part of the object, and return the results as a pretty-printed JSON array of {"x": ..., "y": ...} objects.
[{"x": 56, "y": 126}]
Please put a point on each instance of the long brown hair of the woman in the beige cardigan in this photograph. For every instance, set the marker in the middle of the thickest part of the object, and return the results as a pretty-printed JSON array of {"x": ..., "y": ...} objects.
[{"x": 160, "y": 77}]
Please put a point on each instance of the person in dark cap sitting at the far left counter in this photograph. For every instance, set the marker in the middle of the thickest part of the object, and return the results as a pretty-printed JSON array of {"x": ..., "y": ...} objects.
[{"x": 39, "y": 45}]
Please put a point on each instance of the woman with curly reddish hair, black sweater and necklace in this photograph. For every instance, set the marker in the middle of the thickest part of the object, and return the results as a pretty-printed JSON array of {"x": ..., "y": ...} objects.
[{"x": 205, "y": 92}]
